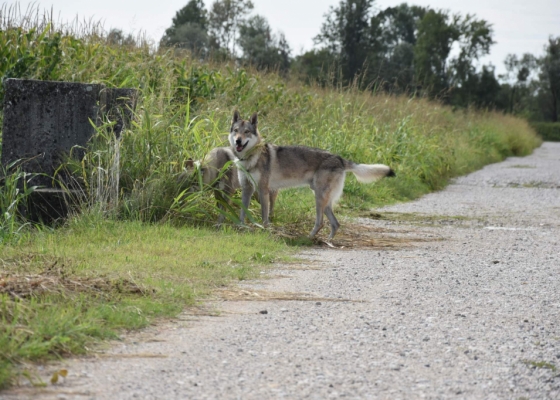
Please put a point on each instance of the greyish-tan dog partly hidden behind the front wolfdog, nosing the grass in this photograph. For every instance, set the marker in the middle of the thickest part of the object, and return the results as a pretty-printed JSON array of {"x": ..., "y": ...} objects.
[{"x": 224, "y": 182}]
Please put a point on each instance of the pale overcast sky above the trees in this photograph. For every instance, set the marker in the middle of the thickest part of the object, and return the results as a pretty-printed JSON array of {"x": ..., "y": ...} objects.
[{"x": 520, "y": 26}]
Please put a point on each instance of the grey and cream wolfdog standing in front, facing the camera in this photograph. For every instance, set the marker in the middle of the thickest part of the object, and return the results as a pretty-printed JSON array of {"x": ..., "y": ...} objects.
[{"x": 268, "y": 167}]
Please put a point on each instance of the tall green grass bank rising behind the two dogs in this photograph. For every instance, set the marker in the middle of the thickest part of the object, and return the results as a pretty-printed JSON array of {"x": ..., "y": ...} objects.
[{"x": 185, "y": 108}]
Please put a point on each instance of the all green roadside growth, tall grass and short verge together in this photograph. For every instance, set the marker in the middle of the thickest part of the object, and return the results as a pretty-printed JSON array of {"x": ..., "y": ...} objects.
[{"x": 150, "y": 248}]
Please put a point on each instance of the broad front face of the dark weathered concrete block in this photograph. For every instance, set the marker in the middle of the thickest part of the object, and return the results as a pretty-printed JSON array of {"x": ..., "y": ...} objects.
[{"x": 43, "y": 120}]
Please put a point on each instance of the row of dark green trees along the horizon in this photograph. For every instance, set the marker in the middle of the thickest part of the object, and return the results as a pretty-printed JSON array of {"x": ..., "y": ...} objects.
[{"x": 405, "y": 49}]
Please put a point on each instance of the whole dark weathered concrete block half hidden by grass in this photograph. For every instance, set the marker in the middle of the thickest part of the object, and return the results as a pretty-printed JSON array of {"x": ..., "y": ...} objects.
[{"x": 44, "y": 121}]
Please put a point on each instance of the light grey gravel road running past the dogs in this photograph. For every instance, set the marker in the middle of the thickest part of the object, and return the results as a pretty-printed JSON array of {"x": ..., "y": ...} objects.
[{"x": 467, "y": 306}]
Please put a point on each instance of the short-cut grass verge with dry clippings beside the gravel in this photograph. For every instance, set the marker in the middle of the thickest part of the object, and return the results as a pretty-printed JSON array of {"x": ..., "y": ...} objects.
[{"x": 92, "y": 278}]
